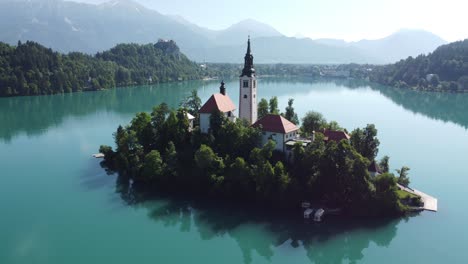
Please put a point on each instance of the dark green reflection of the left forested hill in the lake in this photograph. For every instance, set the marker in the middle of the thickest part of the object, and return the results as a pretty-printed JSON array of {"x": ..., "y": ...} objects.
[{"x": 35, "y": 114}]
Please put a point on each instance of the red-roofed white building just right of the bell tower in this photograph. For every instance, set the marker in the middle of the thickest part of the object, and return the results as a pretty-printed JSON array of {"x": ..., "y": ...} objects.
[{"x": 278, "y": 129}]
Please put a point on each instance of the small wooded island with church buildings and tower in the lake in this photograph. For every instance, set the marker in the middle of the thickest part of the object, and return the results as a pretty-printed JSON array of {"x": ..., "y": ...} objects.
[{"x": 259, "y": 158}]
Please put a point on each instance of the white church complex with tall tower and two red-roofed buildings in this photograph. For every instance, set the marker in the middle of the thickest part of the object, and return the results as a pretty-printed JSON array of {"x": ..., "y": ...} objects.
[{"x": 274, "y": 127}]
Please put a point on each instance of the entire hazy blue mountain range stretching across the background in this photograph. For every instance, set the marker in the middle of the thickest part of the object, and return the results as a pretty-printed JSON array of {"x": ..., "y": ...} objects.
[{"x": 69, "y": 26}]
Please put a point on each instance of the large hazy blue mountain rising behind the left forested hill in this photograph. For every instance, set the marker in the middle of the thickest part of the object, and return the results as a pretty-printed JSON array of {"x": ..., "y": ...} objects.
[{"x": 69, "y": 26}]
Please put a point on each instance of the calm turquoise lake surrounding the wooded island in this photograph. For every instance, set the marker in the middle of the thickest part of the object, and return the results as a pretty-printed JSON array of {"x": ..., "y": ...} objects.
[{"x": 59, "y": 206}]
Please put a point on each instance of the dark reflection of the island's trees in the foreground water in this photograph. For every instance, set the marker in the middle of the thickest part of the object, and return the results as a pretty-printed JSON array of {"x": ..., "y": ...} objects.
[{"x": 334, "y": 241}]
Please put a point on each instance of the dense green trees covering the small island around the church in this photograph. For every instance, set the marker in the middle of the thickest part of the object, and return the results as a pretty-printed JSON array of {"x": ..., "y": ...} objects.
[{"x": 158, "y": 153}]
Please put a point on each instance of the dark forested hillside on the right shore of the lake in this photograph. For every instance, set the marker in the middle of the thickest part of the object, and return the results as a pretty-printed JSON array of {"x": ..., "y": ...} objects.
[{"x": 445, "y": 69}]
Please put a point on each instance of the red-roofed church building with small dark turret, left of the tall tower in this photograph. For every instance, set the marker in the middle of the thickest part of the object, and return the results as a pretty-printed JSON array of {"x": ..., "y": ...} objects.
[{"x": 219, "y": 101}]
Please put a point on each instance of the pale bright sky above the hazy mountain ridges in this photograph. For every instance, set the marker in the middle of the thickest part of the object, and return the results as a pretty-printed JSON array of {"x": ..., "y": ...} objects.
[{"x": 344, "y": 19}]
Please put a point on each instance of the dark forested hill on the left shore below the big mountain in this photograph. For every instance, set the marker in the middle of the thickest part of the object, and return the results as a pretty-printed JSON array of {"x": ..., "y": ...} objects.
[{"x": 31, "y": 69}]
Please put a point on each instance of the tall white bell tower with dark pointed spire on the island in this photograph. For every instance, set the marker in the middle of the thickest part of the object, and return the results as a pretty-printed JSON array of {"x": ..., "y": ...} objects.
[{"x": 248, "y": 89}]
